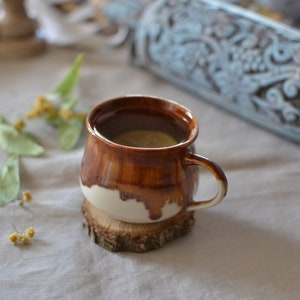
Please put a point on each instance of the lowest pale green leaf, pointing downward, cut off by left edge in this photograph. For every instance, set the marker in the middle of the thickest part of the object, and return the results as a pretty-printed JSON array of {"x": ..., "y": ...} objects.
[{"x": 9, "y": 180}]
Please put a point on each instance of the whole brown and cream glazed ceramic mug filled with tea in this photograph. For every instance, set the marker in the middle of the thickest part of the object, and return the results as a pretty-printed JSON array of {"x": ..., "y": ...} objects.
[{"x": 139, "y": 164}]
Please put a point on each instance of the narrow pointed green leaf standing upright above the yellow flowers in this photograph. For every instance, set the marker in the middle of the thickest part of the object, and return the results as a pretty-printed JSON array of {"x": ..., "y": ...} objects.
[{"x": 66, "y": 87}]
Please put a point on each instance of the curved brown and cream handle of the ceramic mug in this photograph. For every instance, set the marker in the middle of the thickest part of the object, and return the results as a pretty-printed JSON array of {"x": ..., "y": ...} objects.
[{"x": 194, "y": 159}]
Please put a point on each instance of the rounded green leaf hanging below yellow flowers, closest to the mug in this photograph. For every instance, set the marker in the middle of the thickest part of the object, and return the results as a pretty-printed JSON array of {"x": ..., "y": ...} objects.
[{"x": 69, "y": 133}]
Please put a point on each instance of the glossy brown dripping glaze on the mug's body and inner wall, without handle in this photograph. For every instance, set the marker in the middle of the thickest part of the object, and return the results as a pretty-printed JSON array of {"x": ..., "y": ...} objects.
[{"x": 152, "y": 176}]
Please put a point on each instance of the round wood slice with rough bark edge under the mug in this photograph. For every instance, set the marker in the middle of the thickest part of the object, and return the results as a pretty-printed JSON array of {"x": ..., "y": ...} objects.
[{"x": 116, "y": 236}]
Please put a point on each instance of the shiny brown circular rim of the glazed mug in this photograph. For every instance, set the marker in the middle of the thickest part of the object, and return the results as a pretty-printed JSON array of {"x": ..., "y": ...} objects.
[{"x": 192, "y": 132}]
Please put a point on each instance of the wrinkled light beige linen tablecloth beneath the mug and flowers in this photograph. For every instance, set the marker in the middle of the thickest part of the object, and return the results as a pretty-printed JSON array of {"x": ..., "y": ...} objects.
[{"x": 247, "y": 247}]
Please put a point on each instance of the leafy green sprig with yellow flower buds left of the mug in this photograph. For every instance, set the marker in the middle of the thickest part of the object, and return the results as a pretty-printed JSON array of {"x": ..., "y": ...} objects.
[{"x": 58, "y": 110}]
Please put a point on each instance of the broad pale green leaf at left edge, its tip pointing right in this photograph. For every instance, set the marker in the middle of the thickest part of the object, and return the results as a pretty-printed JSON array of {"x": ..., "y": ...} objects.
[{"x": 18, "y": 142}]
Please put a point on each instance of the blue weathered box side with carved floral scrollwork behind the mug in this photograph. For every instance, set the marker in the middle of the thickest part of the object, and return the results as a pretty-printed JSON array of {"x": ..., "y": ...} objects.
[{"x": 226, "y": 55}]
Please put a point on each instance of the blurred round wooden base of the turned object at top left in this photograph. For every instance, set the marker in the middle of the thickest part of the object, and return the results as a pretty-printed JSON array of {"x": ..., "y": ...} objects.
[{"x": 21, "y": 48}]
